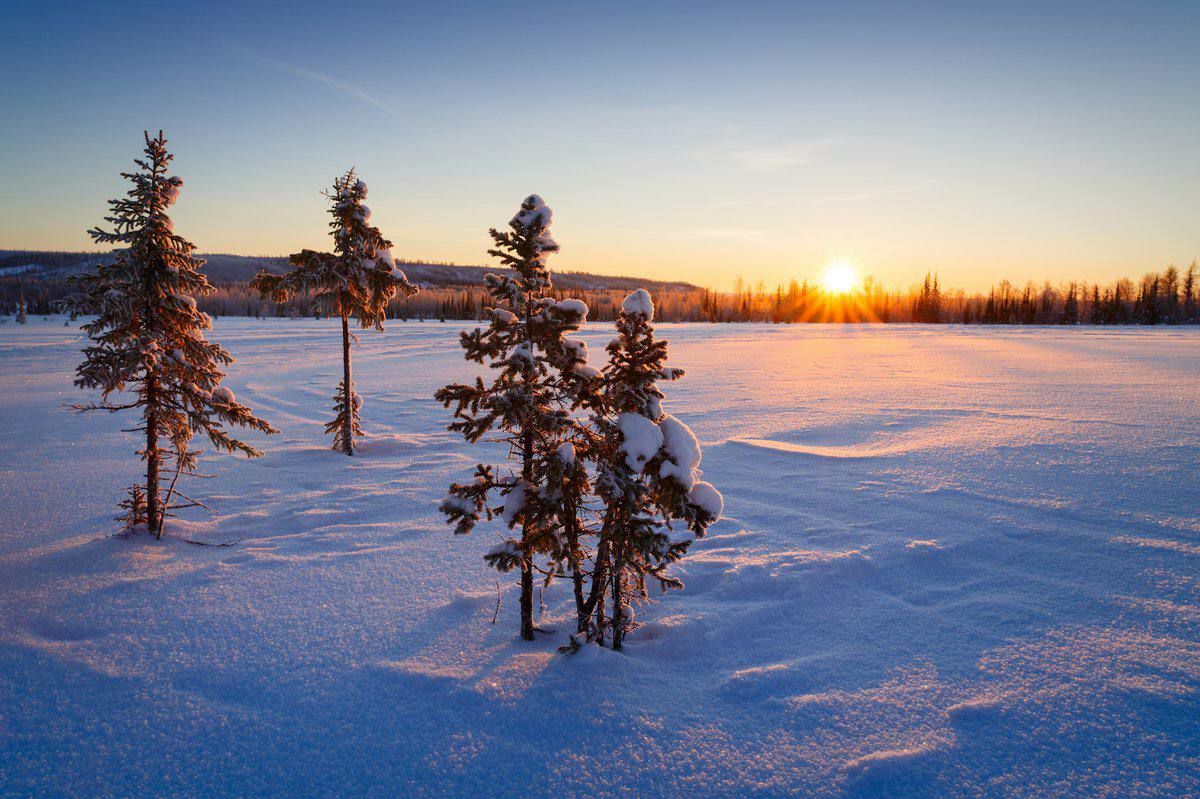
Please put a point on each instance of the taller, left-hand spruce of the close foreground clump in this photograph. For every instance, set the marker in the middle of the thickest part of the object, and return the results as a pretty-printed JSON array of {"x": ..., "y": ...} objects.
[{"x": 539, "y": 376}]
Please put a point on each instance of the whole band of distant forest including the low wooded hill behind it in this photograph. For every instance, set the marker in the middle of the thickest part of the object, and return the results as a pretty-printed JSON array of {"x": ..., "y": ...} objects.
[{"x": 452, "y": 292}]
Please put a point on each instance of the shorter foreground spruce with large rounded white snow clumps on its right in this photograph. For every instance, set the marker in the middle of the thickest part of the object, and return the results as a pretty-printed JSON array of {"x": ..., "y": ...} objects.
[{"x": 647, "y": 471}]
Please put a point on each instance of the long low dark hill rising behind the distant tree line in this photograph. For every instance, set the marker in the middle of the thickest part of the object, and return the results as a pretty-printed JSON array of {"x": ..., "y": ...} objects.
[{"x": 225, "y": 269}]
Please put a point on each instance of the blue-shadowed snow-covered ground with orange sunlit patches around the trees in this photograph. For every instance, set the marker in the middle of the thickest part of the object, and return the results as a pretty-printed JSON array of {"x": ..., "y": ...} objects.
[{"x": 955, "y": 563}]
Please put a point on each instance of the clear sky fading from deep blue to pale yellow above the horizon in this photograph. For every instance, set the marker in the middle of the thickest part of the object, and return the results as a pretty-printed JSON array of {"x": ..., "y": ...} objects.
[{"x": 698, "y": 142}]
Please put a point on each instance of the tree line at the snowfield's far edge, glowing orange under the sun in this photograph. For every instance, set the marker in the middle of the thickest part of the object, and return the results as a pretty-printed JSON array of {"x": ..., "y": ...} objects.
[{"x": 1171, "y": 297}]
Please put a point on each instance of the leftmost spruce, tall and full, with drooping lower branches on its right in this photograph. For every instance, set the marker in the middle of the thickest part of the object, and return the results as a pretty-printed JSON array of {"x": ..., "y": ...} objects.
[{"x": 148, "y": 339}]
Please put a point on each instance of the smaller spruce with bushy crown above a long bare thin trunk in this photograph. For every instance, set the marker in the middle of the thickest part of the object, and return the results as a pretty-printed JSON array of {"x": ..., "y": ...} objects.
[{"x": 357, "y": 280}]
